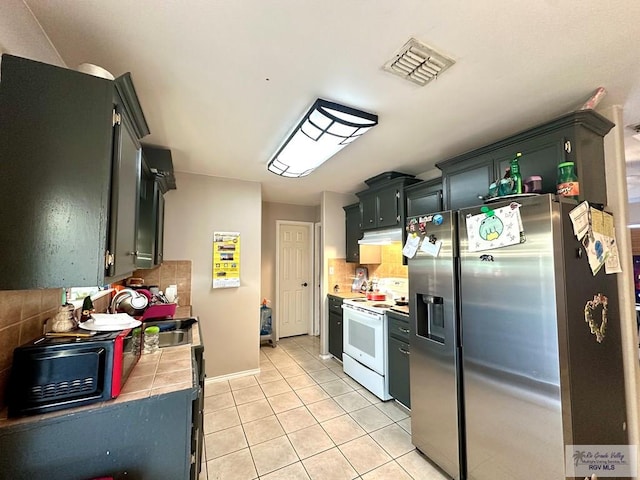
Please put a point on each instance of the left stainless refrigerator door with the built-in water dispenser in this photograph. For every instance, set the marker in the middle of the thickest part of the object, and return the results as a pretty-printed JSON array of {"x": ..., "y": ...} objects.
[{"x": 434, "y": 404}]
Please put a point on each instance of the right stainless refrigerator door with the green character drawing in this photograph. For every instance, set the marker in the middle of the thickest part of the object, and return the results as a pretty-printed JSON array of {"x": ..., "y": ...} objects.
[{"x": 510, "y": 349}]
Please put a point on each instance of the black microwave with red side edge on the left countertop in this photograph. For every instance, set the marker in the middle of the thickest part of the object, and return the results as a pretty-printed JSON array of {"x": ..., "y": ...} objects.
[{"x": 54, "y": 373}]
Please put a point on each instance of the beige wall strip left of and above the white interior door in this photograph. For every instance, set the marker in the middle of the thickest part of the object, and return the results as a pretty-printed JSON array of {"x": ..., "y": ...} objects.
[{"x": 271, "y": 212}]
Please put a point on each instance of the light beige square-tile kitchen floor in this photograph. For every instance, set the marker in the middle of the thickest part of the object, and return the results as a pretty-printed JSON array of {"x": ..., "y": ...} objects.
[{"x": 303, "y": 418}]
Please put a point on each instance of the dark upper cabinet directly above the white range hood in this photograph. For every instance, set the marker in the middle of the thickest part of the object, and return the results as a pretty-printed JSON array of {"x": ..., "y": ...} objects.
[{"x": 383, "y": 204}]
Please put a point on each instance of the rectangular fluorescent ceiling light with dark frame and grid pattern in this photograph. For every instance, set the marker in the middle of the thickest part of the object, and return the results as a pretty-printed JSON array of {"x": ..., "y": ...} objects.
[{"x": 324, "y": 130}]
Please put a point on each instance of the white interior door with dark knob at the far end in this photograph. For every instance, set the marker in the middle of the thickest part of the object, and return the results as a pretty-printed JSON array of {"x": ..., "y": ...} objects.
[{"x": 295, "y": 280}]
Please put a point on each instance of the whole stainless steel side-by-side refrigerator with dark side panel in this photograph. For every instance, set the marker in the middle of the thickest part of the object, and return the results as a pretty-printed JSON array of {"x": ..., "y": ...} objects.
[{"x": 504, "y": 369}]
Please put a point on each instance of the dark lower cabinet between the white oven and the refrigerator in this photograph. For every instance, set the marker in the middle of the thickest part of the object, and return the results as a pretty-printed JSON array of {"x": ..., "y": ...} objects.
[{"x": 398, "y": 351}]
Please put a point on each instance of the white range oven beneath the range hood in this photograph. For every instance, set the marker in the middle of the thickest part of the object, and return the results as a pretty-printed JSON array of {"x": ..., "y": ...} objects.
[{"x": 364, "y": 355}]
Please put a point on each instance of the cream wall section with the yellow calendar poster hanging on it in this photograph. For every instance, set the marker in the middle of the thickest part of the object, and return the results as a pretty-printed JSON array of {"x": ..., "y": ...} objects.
[{"x": 229, "y": 317}]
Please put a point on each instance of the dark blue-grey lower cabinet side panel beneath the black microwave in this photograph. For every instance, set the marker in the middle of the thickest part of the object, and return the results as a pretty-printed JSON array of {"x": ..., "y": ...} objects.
[{"x": 139, "y": 439}]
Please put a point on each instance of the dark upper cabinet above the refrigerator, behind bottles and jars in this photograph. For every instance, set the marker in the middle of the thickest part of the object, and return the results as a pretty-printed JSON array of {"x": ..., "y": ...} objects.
[{"x": 576, "y": 137}]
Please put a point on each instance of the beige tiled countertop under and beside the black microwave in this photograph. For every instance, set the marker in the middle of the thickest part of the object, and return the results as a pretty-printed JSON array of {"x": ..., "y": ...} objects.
[{"x": 166, "y": 371}]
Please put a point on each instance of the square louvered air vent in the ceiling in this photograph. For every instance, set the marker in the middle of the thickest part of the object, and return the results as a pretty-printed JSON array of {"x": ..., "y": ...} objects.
[{"x": 418, "y": 62}]
